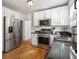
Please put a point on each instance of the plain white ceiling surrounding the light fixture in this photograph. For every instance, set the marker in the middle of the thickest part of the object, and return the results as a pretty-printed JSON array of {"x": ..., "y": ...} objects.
[{"x": 21, "y": 5}]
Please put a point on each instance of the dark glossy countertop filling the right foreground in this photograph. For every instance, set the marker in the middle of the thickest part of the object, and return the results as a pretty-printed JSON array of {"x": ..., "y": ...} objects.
[{"x": 60, "y": 50}]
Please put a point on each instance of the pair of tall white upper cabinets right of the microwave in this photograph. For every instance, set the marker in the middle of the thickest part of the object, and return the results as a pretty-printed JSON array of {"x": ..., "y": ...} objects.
[{"x": 60, "y": 16}]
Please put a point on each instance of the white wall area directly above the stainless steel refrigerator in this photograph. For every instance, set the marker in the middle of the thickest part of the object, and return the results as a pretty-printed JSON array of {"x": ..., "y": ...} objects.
[{"x": 9, "y": 12}]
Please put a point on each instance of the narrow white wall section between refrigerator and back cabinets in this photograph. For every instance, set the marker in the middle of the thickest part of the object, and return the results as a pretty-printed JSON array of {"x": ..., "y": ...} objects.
[{"x": 27, "y": 28}]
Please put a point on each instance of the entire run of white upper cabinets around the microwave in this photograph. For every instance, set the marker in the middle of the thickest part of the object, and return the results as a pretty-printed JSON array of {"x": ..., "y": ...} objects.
[{"x": 59, "y": 16}]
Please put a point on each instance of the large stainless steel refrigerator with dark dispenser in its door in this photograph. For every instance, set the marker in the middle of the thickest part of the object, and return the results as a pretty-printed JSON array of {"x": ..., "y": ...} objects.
[{"x": 12, "y": 33}]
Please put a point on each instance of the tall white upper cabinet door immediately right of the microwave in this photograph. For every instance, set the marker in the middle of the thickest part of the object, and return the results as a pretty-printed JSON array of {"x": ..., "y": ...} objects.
[{"x": 55, "y": 16}]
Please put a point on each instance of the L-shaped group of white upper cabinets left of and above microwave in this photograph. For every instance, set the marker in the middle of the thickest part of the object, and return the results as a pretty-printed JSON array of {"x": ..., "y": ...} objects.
[{"x": 46, "y": 14}]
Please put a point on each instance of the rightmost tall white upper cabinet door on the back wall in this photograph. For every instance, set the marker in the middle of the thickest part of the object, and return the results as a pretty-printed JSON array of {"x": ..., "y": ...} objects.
[{"x": 64, "y": 15}]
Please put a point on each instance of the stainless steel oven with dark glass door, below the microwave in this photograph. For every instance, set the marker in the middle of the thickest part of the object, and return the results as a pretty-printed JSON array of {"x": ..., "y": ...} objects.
[{"x": 43, "y": 40}]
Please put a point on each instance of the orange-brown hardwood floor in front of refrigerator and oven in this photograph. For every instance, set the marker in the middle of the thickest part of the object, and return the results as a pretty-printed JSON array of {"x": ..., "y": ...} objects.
[{"x": 26, "y": 51}]
